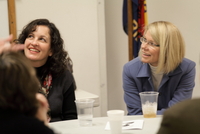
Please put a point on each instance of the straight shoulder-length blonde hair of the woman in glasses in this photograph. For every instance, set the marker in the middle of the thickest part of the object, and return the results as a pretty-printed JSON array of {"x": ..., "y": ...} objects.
[{"x": 172, "y": 45}]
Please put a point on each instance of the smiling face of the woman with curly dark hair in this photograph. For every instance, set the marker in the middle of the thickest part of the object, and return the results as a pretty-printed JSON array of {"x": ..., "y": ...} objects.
[{"x": 38, "y": 46}]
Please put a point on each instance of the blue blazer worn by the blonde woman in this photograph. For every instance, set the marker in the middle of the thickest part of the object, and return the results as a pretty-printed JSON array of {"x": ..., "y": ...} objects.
[{"x": 174, "y": 87}]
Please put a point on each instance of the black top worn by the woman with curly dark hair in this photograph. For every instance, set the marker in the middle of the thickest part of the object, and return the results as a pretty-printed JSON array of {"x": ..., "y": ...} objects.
[{"x": 61, "y": 97}]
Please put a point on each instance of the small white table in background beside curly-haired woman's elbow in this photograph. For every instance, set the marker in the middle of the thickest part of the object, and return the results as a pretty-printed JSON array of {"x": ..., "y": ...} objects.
[{"x": 82, "y": 94}]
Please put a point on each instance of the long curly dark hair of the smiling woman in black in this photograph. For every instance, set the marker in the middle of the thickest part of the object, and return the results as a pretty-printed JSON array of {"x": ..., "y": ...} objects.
[{"x": 60, "y": 60}]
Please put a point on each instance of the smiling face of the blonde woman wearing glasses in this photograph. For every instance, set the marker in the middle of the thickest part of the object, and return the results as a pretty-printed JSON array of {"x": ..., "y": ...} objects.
[{"x": 149, "y": 54}]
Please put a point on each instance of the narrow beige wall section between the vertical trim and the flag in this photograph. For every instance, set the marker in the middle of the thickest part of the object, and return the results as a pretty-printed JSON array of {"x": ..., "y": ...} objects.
[{"x": 117, "y": 53}]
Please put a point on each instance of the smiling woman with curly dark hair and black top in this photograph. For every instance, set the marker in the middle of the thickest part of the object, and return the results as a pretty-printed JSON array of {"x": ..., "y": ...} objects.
[{"x": 44, "y": 48}]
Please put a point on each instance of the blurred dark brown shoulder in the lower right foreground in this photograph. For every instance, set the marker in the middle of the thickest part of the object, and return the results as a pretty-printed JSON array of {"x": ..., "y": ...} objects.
[{"x": 182, "y": 118}]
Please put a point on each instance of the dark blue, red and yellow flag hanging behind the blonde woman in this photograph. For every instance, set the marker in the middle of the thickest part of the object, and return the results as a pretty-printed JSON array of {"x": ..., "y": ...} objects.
[{"x": 139, "y": 15}]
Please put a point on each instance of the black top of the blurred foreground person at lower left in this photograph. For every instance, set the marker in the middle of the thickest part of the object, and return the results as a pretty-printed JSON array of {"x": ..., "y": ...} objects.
[{"x": 16, "y": 123}]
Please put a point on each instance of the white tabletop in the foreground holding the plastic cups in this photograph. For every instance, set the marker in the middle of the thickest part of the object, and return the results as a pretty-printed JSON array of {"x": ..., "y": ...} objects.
[{"x": 150, "y": 126}]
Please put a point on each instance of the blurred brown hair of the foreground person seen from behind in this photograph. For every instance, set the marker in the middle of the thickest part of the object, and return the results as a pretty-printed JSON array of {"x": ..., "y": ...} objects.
[{"x": 18, "y": 84}]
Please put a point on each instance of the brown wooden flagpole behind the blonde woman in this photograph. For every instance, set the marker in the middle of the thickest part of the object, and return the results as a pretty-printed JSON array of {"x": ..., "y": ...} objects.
[{"x": 130, "y": 30}]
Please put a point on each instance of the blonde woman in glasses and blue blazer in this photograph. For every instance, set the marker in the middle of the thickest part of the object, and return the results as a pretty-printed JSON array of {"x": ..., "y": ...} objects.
[{"x": 160, "y": 67}]
